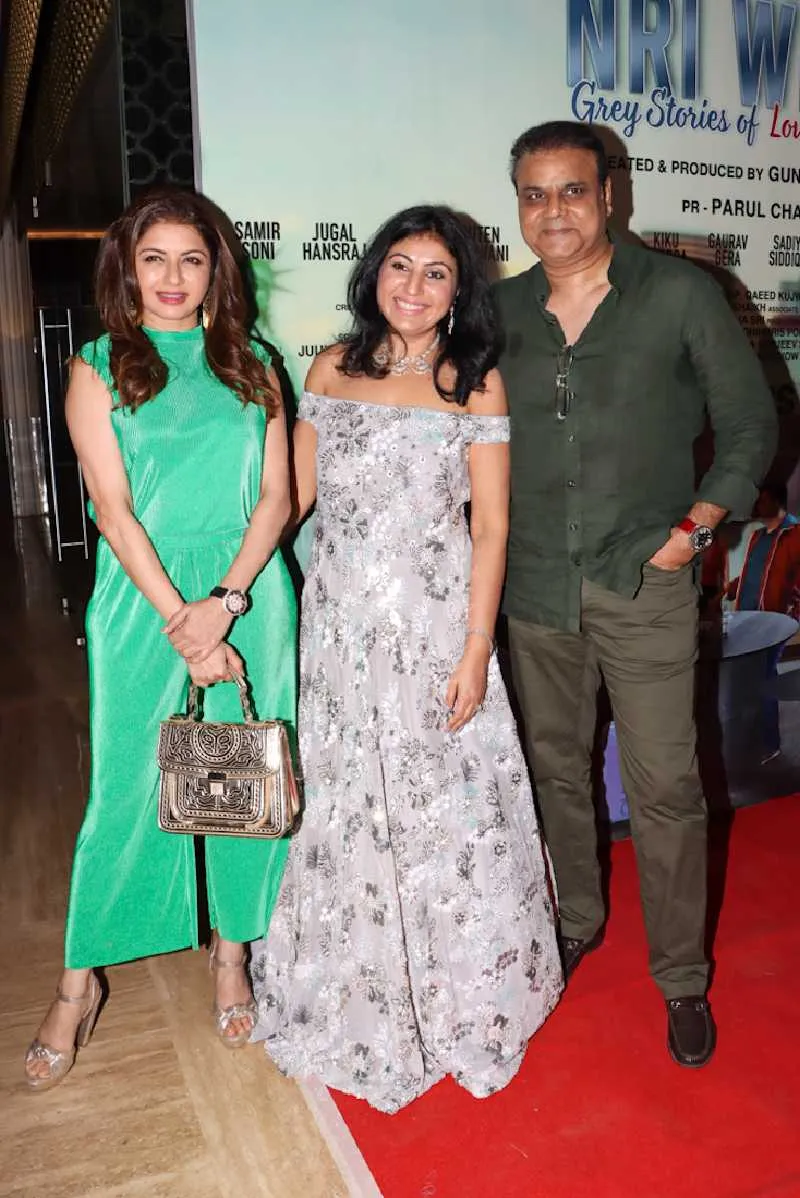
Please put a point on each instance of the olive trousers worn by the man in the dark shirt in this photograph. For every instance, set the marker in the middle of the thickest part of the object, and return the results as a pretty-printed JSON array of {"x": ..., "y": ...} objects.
[{"x": 646, "y": 650}]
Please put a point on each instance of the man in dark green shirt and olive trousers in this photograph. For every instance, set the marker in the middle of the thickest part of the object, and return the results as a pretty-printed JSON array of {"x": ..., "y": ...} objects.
[{"x": 614, "y": 359}]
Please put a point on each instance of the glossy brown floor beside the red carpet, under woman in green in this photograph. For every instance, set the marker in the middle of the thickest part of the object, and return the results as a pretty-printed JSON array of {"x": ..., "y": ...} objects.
[{"x": 155, "y": 1106}]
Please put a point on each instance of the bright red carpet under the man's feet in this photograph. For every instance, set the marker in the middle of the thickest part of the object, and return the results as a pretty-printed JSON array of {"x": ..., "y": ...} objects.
[{"x": 598, "y": 1110}]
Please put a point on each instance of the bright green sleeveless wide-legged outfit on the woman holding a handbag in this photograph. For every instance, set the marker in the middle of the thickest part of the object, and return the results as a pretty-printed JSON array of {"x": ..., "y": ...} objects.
[{"x": 195, "y": 459}]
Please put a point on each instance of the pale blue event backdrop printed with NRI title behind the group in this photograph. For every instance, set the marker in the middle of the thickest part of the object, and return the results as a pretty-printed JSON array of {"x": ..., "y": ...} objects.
[{"x": 318, "y": 122}]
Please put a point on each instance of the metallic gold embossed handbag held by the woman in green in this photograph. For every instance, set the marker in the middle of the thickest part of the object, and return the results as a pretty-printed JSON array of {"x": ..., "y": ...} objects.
[{"x": 226, "y": 779}]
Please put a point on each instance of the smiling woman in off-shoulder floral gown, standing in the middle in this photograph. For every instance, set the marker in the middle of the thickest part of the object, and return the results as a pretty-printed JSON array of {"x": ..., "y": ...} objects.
[{"x": 415, "y": 933}]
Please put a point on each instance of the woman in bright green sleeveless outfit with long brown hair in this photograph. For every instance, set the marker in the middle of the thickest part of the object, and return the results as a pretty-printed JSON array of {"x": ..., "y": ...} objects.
[{"x": 177, "y": 421}]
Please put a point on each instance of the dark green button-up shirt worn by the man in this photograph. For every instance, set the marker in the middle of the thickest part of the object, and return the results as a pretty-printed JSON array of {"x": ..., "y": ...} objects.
[{"x": 595, "y": 494}]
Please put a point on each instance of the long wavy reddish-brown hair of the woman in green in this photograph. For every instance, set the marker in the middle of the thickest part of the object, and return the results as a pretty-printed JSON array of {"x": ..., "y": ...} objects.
[{"x": 138, "y": 371}]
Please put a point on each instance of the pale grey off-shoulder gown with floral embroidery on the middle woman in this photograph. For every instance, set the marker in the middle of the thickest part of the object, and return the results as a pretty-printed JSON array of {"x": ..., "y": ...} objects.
[{"x": 415, "y": 933}]
